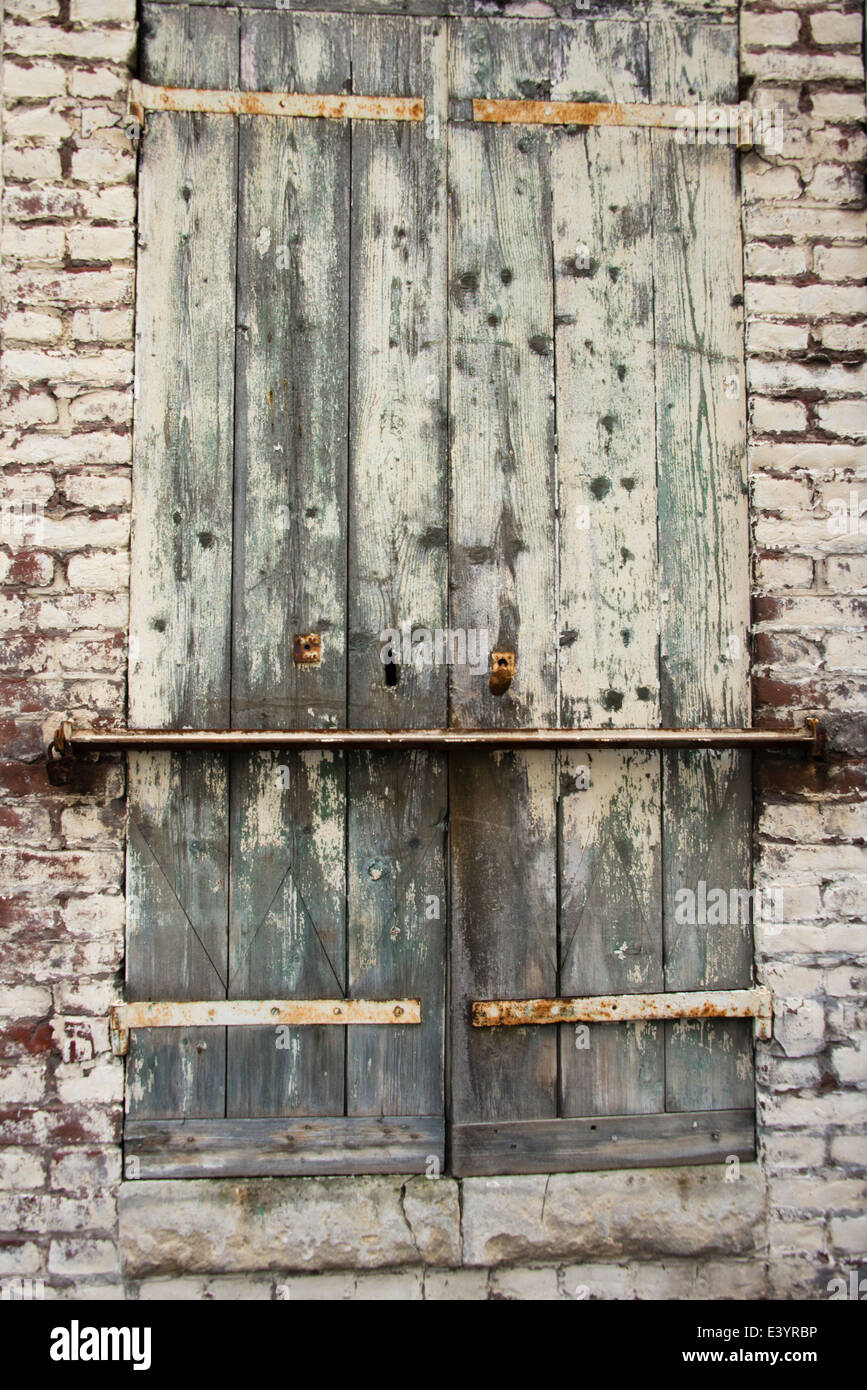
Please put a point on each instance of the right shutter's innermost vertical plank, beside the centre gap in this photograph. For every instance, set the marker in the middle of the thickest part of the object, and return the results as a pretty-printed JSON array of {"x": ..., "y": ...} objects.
[{"x": 504, "y": 571}]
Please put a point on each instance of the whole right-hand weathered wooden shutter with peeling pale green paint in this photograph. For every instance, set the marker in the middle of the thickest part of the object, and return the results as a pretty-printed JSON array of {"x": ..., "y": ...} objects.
[{"x": 609, "y": 270}]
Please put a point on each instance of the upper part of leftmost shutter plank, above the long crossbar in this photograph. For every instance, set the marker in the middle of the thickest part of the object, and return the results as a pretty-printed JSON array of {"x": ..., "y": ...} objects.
[{"x": 181, "y": 590}]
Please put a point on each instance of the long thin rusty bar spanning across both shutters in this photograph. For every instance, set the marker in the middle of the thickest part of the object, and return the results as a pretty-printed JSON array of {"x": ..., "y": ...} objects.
[{"x": 72, "y": 740}]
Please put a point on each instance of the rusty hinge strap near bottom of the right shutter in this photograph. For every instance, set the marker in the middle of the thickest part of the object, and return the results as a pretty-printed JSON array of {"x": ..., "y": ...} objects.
[{"x": 630, "y": 1008}]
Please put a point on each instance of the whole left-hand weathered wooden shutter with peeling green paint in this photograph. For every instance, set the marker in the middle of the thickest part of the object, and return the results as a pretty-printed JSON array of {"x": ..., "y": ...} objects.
[{"x": 291, "y": 479}]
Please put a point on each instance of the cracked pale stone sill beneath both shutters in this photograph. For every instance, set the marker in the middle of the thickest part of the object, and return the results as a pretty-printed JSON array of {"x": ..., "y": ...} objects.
[{"x": 185, "y": 1227}]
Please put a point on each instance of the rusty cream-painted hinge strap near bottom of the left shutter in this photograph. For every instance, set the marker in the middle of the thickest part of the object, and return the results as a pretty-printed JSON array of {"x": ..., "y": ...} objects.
[{"x": 220, "y": 1014}]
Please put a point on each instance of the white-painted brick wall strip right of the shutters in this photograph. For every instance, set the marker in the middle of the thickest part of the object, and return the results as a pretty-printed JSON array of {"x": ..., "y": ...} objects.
[{"x": 807, "y": 301}]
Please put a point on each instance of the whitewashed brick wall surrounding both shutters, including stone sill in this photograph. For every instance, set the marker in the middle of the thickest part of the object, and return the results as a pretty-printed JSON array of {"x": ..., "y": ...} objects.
[{"x": 790, "y": 1224}]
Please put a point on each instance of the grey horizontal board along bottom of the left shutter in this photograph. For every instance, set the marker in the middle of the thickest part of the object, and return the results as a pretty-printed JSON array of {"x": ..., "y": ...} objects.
[{"x": 305, "y": 1147}]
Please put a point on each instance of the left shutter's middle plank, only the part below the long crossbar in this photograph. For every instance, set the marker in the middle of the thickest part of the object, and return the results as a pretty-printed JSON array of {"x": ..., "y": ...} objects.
[{"x": 287, "y": 929}]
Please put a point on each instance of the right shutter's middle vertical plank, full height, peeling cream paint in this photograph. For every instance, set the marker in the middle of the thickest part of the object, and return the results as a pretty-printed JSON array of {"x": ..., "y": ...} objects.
[{"x": 611, "y": 899}]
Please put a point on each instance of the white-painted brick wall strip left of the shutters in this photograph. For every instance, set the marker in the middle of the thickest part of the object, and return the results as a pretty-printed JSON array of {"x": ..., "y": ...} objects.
[{"x": 67, "y": 291}]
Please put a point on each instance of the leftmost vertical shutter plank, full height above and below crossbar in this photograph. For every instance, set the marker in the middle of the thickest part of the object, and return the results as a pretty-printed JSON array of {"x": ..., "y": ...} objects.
[{"x": 181, "y": 561}]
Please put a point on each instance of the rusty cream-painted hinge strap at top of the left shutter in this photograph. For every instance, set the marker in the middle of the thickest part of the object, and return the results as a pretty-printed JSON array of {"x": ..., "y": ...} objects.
[{"x": 337, "y": 108}]
